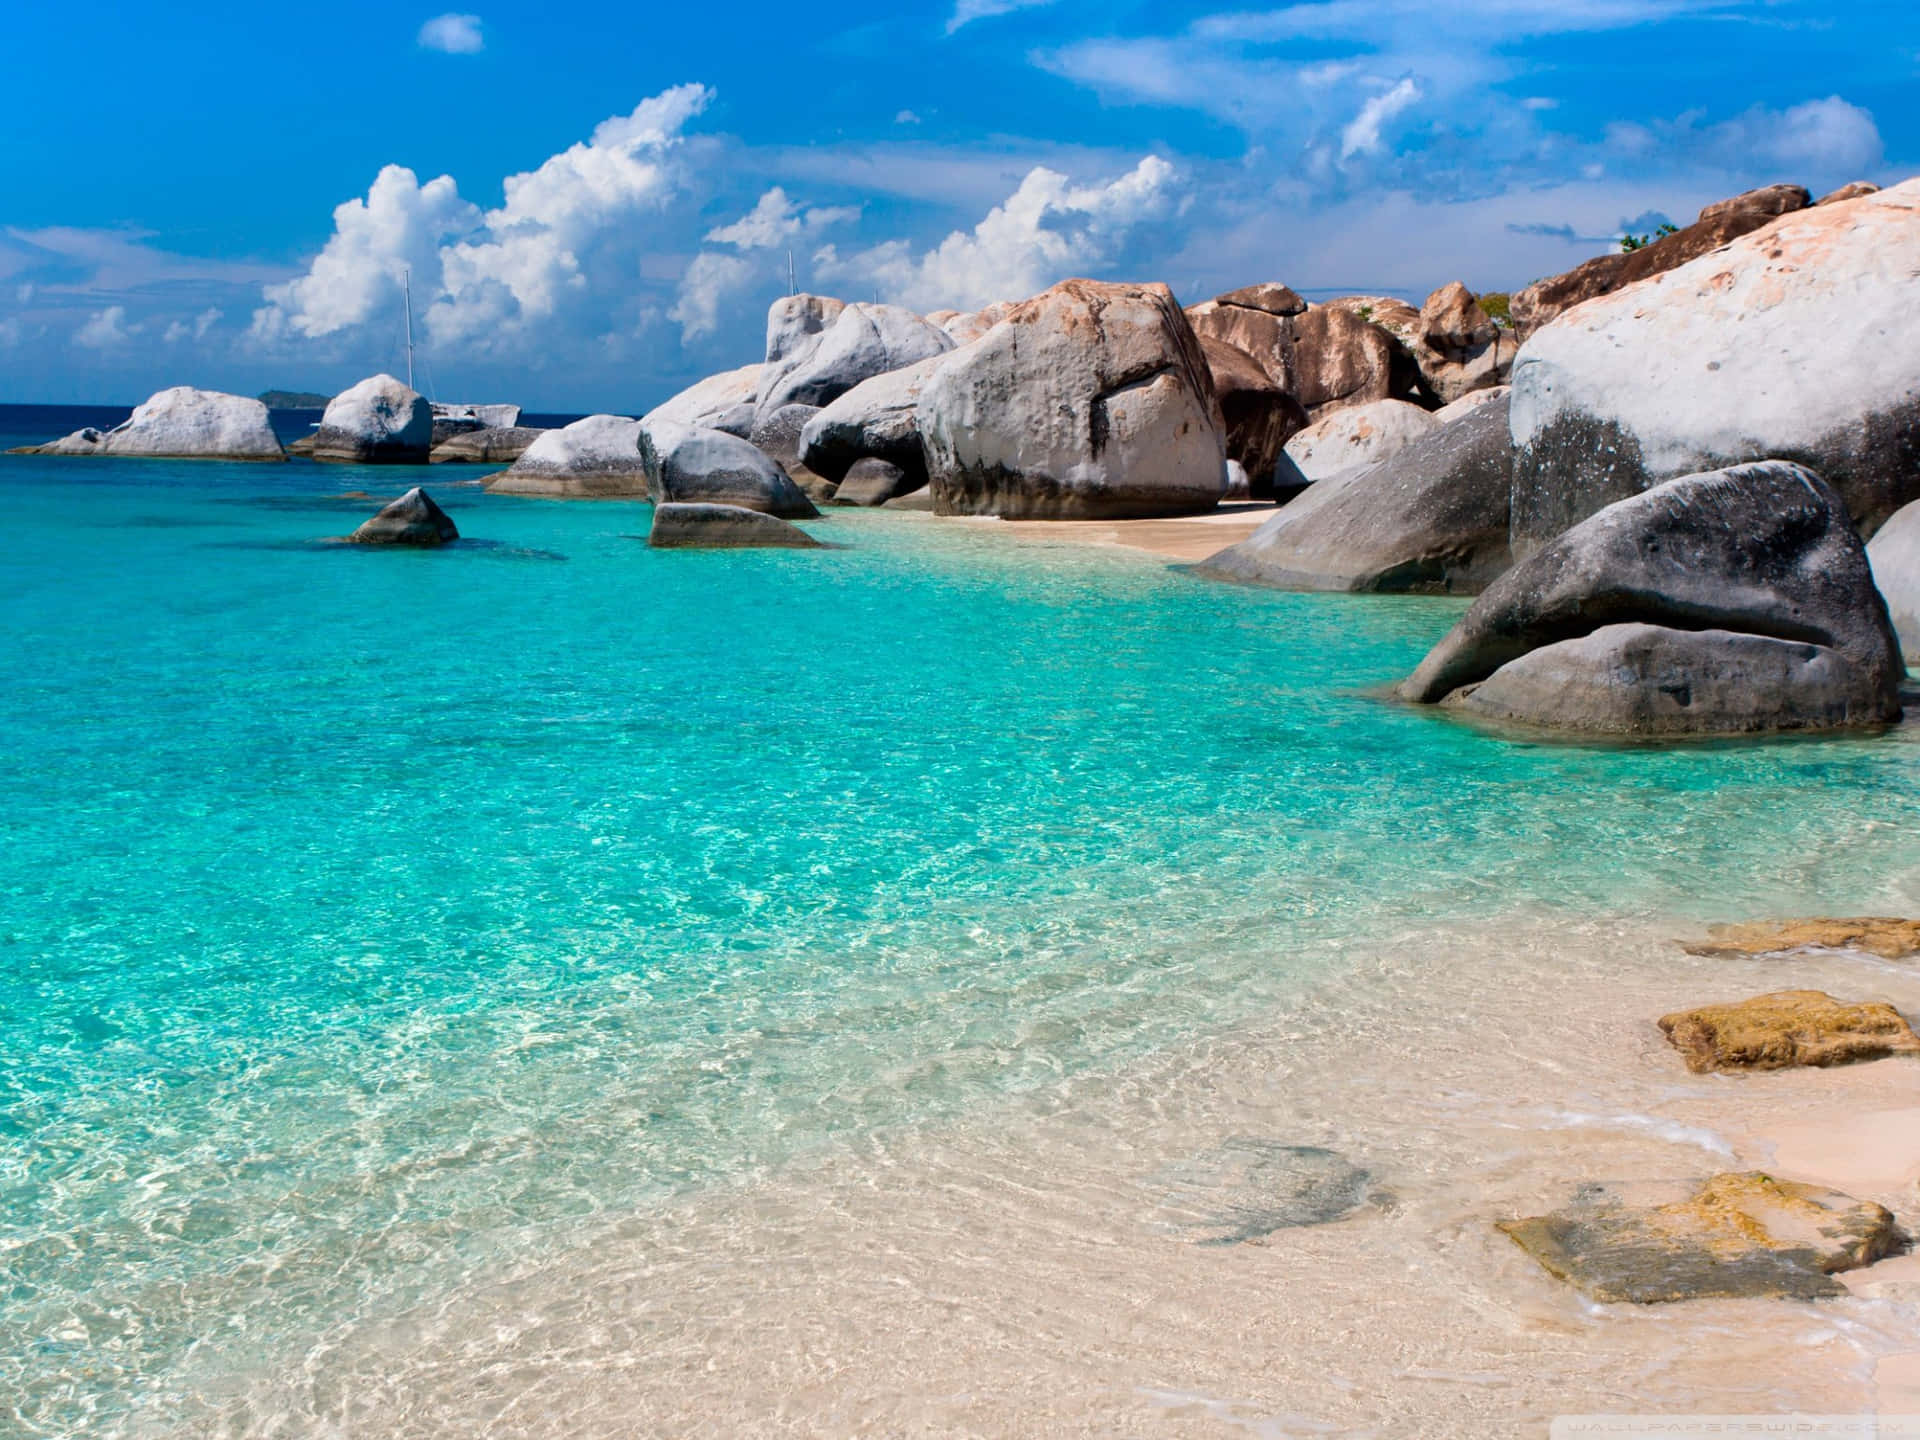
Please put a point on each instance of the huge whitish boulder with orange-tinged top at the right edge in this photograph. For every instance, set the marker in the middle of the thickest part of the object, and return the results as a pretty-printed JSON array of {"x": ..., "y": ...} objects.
[{"x": 1785, "y": 345}]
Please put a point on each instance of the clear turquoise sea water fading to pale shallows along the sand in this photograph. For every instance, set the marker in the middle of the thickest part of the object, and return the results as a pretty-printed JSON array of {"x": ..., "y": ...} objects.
[{"x": 372, "y": 917}]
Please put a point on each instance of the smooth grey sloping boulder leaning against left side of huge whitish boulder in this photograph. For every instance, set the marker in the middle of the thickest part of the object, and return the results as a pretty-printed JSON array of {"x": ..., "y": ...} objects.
[{"x": 1429, "y": 519}]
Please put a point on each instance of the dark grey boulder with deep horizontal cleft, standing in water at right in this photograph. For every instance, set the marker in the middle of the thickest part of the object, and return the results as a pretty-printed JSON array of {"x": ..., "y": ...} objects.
[{"x": 1717, "y": 604}]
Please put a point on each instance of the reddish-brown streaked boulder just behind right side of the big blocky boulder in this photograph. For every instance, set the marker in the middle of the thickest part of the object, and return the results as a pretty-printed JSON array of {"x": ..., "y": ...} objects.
[{"x": 1324, "y": 356}]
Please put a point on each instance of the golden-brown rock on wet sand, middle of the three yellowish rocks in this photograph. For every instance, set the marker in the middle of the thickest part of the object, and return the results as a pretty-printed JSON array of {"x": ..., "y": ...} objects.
[{"x": 1787, "y": 1030}]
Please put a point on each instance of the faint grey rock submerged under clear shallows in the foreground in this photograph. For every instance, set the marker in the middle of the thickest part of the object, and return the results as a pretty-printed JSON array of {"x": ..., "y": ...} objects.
[{"x": 1249, "y": 1189}]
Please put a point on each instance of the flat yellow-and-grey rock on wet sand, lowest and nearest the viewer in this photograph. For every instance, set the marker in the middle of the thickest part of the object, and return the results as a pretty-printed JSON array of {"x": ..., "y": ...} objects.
[{"x": 1740, "y": 1236}]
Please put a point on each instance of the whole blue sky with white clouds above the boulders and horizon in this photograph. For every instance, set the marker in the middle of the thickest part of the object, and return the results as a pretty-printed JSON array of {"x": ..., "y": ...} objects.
[{"x": 598, "y": 206}]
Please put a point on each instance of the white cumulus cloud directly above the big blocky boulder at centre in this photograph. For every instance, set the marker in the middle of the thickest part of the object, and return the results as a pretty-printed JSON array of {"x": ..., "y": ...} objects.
[{"x": 1045, "y": 231}]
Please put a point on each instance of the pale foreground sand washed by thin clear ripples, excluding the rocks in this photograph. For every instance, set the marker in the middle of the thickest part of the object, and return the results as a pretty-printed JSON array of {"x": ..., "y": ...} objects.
[{"x": 1036, "y": 1272}]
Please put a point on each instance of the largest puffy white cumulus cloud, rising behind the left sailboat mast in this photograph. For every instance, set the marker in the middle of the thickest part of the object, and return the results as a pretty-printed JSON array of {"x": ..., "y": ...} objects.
[{"x": 567, "y": 249}]
